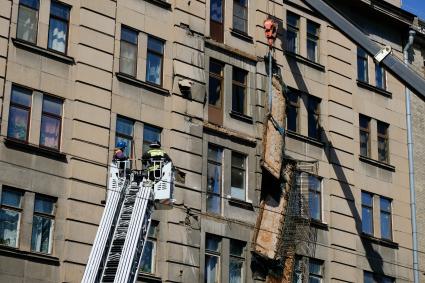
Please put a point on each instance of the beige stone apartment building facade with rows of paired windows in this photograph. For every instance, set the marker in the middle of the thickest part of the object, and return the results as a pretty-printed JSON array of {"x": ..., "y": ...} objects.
[{"x": 76, "y": 76}]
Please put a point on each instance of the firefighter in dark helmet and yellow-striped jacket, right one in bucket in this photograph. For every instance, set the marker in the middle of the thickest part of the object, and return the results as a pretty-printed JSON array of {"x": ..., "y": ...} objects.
[{"x": 154, "y": 159}]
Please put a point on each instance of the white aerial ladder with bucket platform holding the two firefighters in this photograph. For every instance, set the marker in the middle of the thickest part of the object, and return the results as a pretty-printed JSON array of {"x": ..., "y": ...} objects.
[{"x": 132, "y": 197}]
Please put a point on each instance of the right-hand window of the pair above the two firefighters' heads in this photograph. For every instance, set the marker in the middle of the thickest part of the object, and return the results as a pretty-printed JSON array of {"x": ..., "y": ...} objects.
[{"x": 154, "y": 60}]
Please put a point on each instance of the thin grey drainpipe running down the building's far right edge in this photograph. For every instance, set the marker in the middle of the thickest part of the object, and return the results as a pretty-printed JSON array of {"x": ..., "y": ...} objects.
[{"x": 411, "y": 168}]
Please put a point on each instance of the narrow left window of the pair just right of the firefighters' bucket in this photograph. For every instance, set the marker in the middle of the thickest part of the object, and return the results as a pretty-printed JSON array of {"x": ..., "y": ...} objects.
[{"x": 215, "y": 157}]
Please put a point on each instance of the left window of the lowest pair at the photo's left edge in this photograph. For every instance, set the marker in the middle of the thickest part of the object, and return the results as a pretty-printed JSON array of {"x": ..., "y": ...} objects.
[{"x": 10, "y": 217}]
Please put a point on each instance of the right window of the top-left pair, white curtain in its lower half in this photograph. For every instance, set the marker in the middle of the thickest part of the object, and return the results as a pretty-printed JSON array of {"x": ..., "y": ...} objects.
[{"x": 58, "y": 26}]
